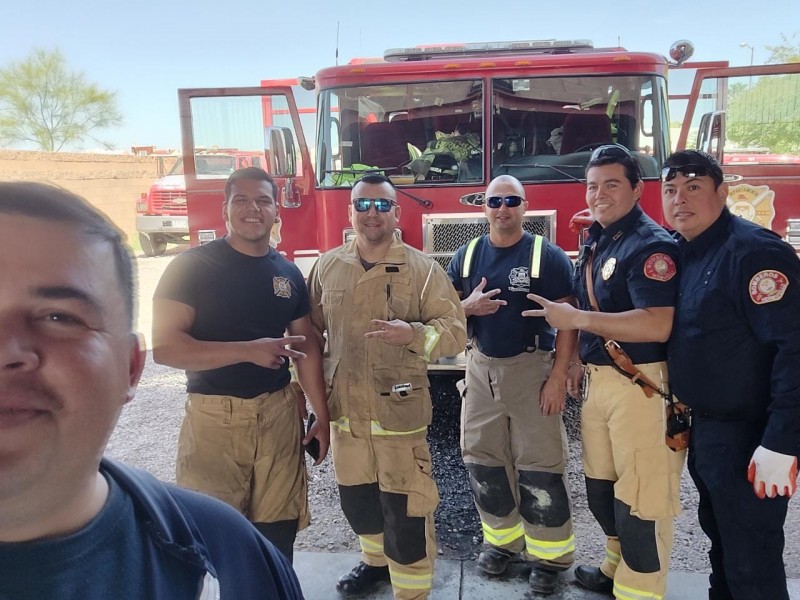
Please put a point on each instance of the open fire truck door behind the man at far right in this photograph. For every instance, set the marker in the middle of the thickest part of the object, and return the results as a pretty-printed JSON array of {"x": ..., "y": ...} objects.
[{"x": 748, "y": 118}]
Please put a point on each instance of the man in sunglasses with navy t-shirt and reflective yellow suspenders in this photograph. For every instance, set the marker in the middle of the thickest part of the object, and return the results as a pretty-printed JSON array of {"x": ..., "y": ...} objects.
[{"x": 513, "y": 439}]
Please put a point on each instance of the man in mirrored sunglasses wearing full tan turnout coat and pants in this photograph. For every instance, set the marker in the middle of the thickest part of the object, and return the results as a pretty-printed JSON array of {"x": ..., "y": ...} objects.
[{"x": 388, "y": 310}]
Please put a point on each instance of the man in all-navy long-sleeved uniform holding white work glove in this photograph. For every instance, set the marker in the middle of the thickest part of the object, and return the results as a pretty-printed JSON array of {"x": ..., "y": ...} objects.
[{"x": 734, "y": 357}]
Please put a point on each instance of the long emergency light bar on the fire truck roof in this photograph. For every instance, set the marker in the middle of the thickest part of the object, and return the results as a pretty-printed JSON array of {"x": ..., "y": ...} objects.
[{"x": 484, "y": 48}]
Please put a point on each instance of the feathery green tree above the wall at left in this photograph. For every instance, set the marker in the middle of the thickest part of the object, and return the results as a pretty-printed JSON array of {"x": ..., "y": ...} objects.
[{"x": 44, "y": 103}]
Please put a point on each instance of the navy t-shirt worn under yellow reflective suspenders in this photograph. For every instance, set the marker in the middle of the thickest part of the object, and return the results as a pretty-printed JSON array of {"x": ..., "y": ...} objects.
[{"x": 506, "y": 332}]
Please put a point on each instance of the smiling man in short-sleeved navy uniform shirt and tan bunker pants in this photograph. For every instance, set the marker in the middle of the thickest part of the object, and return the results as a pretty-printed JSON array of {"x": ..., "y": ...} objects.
[{"x": 626, "y": 285}]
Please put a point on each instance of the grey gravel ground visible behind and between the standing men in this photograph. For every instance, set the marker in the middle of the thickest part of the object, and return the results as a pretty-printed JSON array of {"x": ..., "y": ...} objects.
[{"x": 146, "y": 437}]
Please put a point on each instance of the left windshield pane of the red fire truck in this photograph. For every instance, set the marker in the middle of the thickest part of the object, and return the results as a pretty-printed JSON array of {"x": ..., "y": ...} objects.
[{"x": 425, "y": 132}]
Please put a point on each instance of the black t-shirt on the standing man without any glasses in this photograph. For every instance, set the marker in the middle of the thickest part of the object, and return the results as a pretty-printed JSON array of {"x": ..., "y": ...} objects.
[{"x": 236, "y": 297}]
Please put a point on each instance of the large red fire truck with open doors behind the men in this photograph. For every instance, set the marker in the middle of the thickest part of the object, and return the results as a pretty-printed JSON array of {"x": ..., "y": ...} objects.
[{"x": 532, "y": 109}]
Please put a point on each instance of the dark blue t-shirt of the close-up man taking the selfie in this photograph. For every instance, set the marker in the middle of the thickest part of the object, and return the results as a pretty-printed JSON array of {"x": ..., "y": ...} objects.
[{"x": 103, "y": 560}]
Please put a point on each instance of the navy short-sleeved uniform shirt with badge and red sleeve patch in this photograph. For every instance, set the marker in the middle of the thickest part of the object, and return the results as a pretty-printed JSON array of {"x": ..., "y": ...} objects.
[{"x": 634, "y": 267}]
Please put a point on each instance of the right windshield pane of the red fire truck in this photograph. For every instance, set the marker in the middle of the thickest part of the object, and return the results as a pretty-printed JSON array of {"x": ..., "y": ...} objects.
[{"x": 545, "y": 128}]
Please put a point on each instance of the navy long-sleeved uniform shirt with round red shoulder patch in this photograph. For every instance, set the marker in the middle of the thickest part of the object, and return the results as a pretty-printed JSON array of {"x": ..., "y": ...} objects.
[{"x": 734, "y": 353}]
